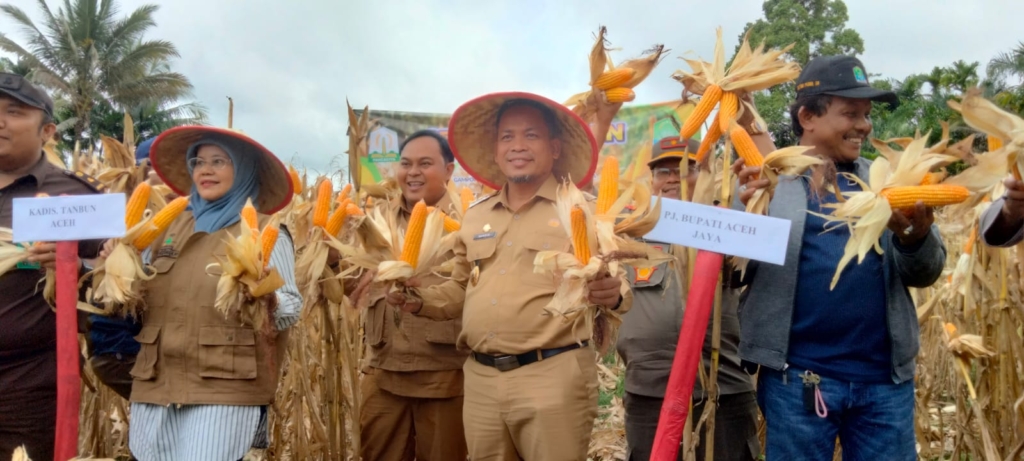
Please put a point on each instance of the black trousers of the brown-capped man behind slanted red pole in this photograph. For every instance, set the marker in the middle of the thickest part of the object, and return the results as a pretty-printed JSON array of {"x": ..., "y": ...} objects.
[{"x": 736, "y": 428}]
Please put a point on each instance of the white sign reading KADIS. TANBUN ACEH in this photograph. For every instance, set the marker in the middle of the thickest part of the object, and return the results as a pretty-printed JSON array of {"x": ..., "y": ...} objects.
[{"x": 69, "y": 218}]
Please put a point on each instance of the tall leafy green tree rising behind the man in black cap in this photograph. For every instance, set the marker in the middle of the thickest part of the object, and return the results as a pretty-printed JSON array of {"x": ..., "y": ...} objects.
[{"x": 817, "y": 28}]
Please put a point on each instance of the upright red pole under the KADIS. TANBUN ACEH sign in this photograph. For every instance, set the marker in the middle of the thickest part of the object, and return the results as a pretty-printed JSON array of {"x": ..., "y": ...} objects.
[{"x": 69, "y": 381}]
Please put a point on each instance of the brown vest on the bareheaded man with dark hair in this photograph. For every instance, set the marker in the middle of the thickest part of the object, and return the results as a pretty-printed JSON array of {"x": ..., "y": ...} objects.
[{"x": 419, "y": 344}]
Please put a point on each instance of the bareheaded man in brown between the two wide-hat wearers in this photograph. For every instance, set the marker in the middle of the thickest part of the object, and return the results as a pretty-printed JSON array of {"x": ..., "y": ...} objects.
[{"x": 412, "y": 394}]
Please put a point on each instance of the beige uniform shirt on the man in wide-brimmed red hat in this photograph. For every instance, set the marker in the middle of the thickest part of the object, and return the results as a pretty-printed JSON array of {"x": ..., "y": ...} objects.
[{"x": 503, "y": 313}]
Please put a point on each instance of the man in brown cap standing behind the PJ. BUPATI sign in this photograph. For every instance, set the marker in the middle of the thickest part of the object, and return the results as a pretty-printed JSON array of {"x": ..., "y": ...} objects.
[{"x": 649, "y": 336}]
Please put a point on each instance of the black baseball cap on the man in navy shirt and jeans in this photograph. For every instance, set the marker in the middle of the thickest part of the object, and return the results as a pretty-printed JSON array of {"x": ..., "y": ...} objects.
[{"x": 841, "y": 76}]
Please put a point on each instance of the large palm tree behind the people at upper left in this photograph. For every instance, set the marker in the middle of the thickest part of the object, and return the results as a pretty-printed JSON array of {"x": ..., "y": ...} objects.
[{"x": 87, "y": 55}]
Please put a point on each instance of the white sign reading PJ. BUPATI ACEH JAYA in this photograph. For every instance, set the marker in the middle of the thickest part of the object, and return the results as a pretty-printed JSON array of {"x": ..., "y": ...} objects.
[{"x": 722, "y": 231}]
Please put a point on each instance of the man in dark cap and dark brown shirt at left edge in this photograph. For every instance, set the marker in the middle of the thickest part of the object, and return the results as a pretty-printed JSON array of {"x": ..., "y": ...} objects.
[{"x": 28, "y": 341}]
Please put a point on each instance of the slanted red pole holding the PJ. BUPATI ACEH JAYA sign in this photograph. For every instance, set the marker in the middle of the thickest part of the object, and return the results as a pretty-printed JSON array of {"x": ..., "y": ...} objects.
[{"x": 685, "y": 365}]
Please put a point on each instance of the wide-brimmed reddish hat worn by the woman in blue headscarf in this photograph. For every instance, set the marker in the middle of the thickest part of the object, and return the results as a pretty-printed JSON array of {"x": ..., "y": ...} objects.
[{"x": 168, "y": 159}]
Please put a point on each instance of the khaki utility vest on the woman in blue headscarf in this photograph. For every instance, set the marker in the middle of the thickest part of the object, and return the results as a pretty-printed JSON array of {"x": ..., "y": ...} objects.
[{"x": 191, "y": 354}]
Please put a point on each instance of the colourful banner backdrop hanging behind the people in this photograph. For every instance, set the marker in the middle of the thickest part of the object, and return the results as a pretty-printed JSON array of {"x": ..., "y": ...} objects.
[{"x": 630, "y": 139}]
